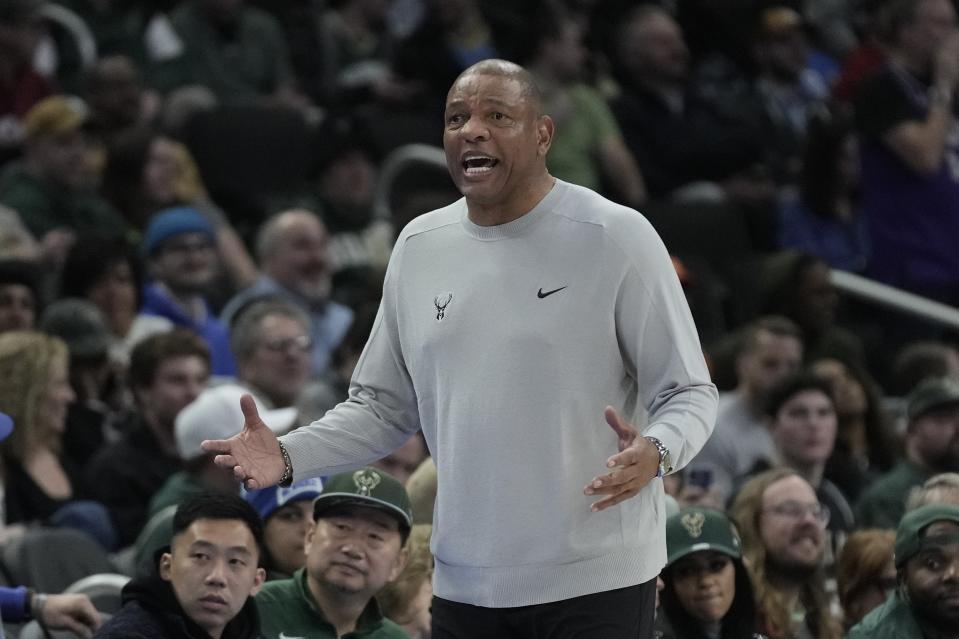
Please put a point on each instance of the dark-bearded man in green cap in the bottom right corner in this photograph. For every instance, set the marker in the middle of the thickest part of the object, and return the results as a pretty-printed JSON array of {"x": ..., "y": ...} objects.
[{"x": 926, "y": 602}]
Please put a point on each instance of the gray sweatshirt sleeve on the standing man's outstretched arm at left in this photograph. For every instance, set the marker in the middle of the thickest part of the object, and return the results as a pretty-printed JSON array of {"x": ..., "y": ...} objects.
[{"x": 380, "y": 413}]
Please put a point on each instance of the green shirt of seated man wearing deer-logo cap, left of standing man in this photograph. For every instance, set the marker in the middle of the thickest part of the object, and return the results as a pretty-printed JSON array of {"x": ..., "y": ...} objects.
[{"x": 287, "y": 608}]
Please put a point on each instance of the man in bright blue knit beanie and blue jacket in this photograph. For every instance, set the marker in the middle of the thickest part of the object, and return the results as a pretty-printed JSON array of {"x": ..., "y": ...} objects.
[{"x": 180, "y": 245}]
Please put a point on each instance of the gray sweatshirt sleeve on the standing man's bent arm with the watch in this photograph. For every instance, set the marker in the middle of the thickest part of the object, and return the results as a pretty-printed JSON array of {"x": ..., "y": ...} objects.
[{"x": 661, "y": 346}]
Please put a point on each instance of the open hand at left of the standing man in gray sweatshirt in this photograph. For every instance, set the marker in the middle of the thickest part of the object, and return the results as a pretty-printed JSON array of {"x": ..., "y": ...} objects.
[{"x": 253, "y": 454}]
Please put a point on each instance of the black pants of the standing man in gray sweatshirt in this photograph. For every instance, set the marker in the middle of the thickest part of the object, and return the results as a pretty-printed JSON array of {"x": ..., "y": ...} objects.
[{"x": 626, "y": 613}]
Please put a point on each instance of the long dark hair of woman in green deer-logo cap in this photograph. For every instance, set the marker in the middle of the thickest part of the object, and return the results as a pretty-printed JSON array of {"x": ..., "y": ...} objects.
[{"x": 739, "y": 622}]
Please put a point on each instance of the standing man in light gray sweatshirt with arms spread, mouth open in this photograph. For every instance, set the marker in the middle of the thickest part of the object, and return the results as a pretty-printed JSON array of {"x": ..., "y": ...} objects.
[{"x": 514, "y": 322}]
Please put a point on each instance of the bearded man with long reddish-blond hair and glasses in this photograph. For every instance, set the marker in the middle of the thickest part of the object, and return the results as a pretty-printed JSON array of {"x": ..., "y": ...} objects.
[{"x": 784, "y": 542}]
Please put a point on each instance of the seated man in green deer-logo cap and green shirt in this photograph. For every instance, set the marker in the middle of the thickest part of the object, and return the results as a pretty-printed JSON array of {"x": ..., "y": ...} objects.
[{"x": 355, "y": 547}]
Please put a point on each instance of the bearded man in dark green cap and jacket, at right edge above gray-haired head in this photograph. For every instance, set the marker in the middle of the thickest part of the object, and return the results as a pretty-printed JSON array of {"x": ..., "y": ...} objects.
[{"x": 932, "y": 446}]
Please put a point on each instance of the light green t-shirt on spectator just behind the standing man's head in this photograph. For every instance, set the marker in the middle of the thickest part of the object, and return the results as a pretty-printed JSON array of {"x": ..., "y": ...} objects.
[{"x": 583, "y": 124}]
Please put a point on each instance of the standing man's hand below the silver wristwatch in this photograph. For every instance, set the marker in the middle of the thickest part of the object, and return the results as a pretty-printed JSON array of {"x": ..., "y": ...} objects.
[{"x": 636, "y": 463}]
